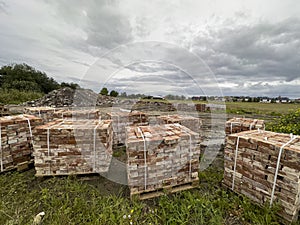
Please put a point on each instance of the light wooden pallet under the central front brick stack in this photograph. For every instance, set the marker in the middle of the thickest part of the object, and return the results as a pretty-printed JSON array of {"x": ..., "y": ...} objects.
[{"x": 165, "y": 190}]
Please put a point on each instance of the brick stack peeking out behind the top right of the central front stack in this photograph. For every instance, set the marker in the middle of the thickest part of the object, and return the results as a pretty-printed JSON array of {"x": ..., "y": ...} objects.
[{"x": 190, "y": 122}]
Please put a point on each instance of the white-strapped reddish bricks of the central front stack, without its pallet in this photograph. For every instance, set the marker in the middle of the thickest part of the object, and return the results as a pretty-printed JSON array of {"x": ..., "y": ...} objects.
[{"x": 161, "y": 157}]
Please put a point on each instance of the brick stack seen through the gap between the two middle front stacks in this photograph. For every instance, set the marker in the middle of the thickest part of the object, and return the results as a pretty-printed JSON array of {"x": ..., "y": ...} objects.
[{"x": 121, "y": 119}]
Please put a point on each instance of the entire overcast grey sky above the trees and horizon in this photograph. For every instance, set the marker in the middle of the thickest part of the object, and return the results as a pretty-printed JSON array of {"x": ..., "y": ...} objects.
[{"x": 210, "y": 47}]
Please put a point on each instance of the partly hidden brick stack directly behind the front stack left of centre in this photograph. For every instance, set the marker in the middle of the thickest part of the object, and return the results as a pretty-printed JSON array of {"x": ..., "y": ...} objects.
[{"x": 77, "y": 114}]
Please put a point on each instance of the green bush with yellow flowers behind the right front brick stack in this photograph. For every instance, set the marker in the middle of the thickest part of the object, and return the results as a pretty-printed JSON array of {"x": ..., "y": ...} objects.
[{"x": 289, "y": 123}]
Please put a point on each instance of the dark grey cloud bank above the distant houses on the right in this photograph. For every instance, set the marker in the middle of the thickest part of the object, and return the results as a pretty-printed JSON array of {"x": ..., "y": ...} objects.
[{"x": 262, "y": 50}]
